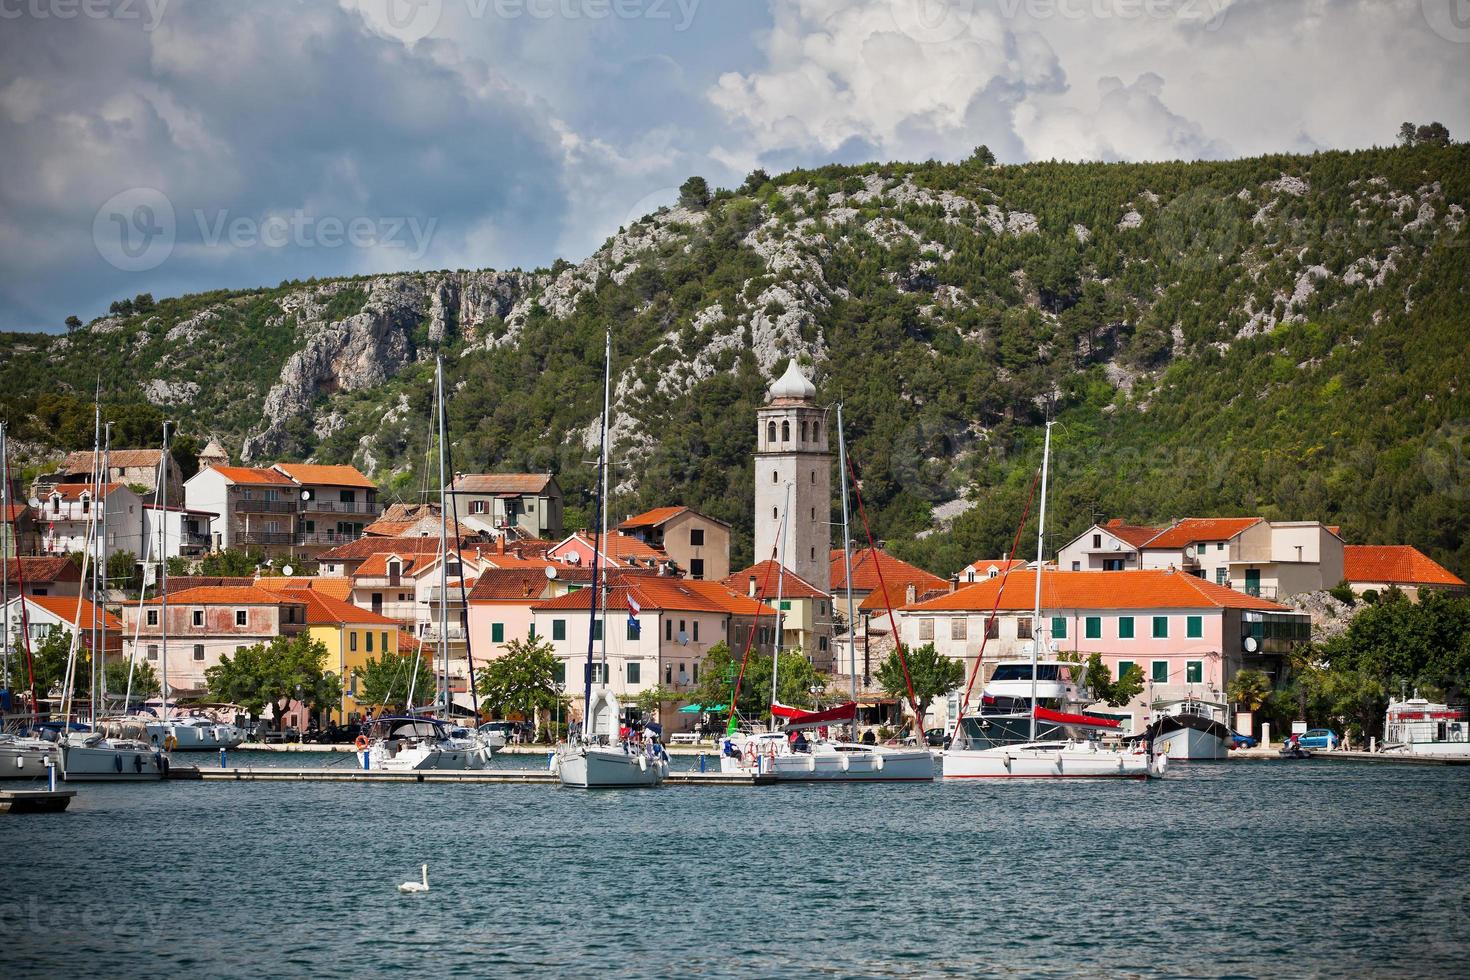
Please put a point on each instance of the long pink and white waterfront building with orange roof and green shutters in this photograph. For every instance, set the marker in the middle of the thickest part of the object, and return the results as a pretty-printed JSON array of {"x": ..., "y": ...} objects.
[{"x": 1188, "y": 635}]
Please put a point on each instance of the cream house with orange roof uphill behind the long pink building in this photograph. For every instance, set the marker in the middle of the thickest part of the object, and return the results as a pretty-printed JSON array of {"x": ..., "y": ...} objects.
[{"x": 1259, "y": 558}]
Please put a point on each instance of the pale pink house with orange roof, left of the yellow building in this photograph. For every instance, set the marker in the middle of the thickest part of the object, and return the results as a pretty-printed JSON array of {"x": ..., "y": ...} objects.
[{"x": 207, "y": 624}]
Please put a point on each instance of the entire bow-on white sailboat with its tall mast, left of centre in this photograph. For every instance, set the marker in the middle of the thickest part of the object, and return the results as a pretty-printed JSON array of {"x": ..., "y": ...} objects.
[{"x": 598, "y": 756}]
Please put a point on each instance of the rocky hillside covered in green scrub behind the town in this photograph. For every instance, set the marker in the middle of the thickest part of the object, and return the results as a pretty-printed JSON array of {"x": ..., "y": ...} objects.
[{"x": 1283, "y": 337}]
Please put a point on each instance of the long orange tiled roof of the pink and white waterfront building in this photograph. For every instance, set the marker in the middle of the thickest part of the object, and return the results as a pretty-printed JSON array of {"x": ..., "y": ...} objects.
[{"x": 1140, "y": 590}]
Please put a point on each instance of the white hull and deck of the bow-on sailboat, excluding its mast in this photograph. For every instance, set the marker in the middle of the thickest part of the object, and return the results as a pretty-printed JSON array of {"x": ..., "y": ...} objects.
[{"x": 600, "y": 756}]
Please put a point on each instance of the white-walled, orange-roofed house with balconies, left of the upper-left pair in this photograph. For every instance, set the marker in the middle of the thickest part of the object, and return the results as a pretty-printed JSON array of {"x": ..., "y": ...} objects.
[{"x": 255, "y": 508}]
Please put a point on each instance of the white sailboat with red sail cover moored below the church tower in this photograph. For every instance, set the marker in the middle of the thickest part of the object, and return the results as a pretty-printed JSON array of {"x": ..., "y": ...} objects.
[{"x": 774, "y": 756}]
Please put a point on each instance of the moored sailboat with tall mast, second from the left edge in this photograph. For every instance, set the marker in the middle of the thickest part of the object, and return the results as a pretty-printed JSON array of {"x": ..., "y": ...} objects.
[{"x": 118, "y": 750}]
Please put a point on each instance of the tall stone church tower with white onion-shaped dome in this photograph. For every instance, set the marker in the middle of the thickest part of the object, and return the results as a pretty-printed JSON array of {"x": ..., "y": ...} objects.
[{"x": 792, "y": 450}]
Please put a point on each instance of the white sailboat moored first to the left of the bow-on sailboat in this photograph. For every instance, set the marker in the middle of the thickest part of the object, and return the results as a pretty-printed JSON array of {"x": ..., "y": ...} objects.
[{"x": 421, "y": 741}]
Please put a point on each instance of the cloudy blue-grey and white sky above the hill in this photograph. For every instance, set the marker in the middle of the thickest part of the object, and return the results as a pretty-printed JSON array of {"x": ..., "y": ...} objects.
[{"x": 173, "y": 146}]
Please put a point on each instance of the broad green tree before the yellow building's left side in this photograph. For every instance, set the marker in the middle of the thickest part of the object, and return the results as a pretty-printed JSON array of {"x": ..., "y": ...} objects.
[{"x": 273, "y": 675}]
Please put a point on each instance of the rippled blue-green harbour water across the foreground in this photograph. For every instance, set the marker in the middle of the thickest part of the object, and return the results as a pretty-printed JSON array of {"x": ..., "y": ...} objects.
[{"x": 1283, "y": 869}]
